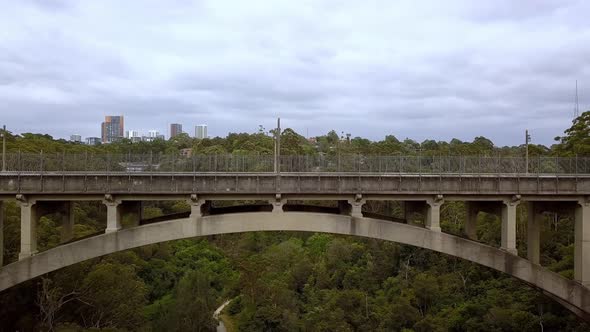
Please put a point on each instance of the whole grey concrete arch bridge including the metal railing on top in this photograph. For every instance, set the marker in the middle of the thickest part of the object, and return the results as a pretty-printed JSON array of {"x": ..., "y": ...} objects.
[{"x": 279, "y": 192}]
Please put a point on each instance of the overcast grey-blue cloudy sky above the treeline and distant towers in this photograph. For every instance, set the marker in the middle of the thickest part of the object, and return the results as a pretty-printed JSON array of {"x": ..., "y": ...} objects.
[{"x": 417, "y": 69}]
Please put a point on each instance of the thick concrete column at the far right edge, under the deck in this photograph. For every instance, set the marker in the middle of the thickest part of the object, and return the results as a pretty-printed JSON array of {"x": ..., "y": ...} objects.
[{"x": 582, "y": 243}]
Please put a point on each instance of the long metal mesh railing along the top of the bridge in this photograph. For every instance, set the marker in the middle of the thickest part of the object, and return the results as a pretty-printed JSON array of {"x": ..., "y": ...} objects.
[{"x": 159, "y": 163}]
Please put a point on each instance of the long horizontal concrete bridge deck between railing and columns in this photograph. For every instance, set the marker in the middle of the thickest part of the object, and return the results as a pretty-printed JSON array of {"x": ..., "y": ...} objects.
[{"x": 12, "y": 183}]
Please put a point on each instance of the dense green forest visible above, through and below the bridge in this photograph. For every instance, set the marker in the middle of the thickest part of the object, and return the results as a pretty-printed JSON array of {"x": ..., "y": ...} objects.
[{"x": 284, "y": 281}]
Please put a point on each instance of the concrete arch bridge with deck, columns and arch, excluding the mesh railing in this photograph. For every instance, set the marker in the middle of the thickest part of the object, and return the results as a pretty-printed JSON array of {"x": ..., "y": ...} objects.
[{"x": 123, "y": 193}]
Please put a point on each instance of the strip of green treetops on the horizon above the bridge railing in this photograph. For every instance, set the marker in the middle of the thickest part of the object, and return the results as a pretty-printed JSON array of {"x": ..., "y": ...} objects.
[{"x": 575, "y": 141}]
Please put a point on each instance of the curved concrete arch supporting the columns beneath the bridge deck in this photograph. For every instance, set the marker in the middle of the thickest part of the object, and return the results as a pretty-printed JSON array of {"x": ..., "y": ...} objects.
[{"x": 570, "y": 293}]
